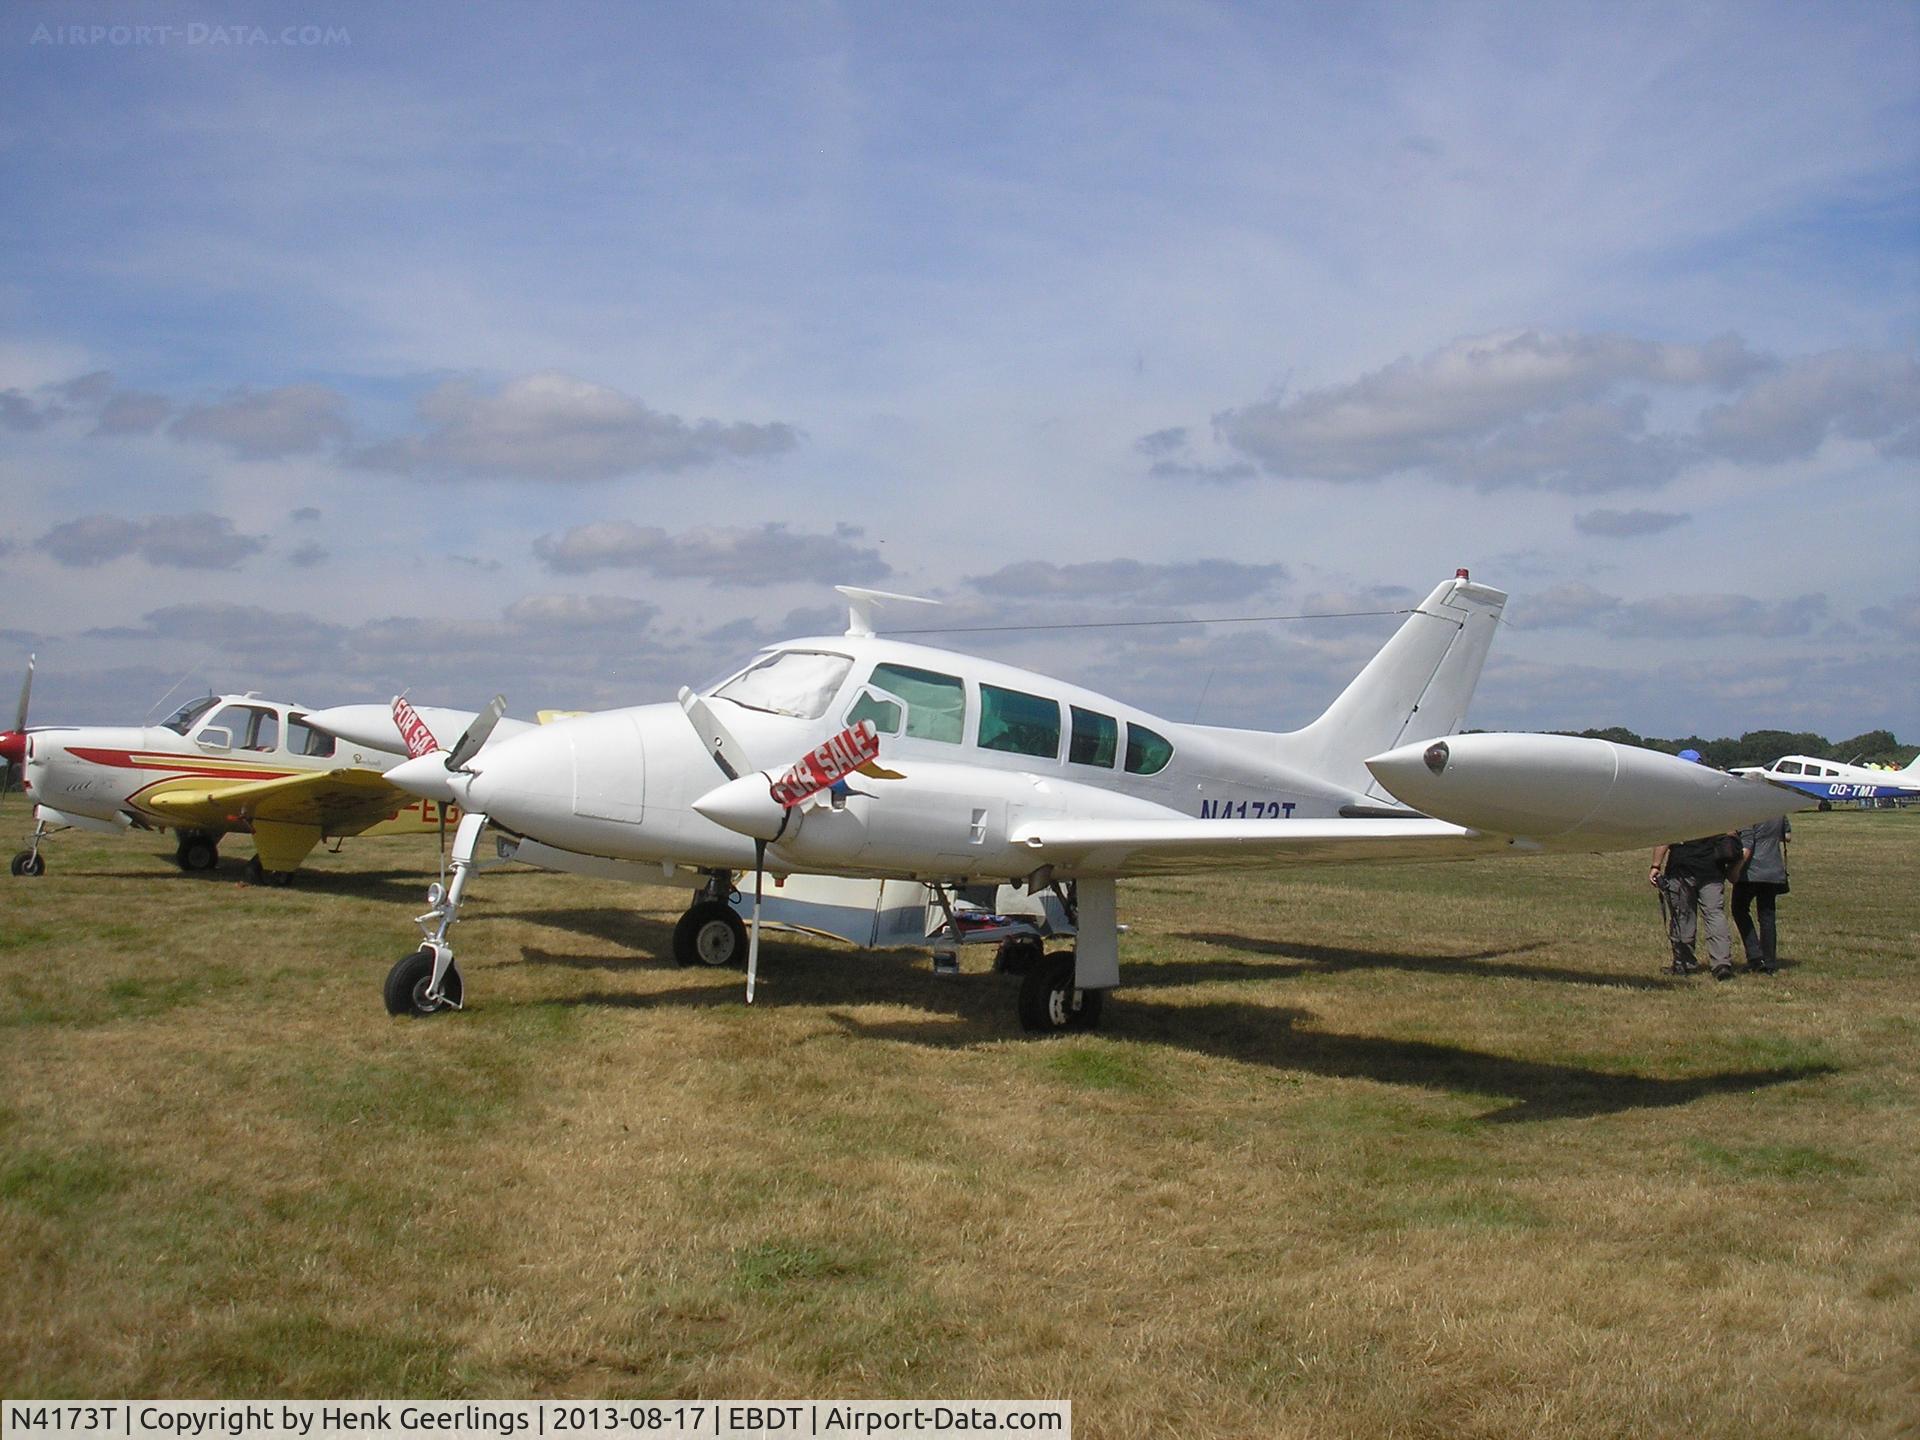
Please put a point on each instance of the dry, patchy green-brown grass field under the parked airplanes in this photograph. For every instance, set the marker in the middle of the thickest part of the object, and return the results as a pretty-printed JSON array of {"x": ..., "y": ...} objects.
[{"x": 1418, "y": 1151}]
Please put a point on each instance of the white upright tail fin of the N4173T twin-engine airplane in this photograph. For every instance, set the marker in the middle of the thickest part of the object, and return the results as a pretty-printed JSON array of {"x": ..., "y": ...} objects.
[{"x": 1414, "y": 688}]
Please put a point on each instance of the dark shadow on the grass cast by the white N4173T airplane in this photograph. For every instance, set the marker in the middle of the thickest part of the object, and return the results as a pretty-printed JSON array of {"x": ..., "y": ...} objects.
[{"x": 974, "y": 1009}]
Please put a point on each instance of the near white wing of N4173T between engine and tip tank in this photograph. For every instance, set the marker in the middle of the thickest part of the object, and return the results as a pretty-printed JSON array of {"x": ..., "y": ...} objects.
[{"x": 1172, "y": 848}]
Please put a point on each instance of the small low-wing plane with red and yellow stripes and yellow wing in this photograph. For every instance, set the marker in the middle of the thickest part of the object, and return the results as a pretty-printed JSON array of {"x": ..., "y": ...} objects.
[{"x": 224, "y": 765}]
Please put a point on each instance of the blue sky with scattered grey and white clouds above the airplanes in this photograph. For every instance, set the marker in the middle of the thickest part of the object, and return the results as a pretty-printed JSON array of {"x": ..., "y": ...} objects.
[{"x": 468, "y": 348}]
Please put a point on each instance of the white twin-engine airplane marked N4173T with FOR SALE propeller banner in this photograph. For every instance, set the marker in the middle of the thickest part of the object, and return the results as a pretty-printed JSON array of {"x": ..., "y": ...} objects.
[{"x": 869, "y": 757}]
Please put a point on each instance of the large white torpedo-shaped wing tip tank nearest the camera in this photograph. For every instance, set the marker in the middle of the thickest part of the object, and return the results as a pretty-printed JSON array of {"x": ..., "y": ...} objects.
[{"x": 1568, "y": 788}]
